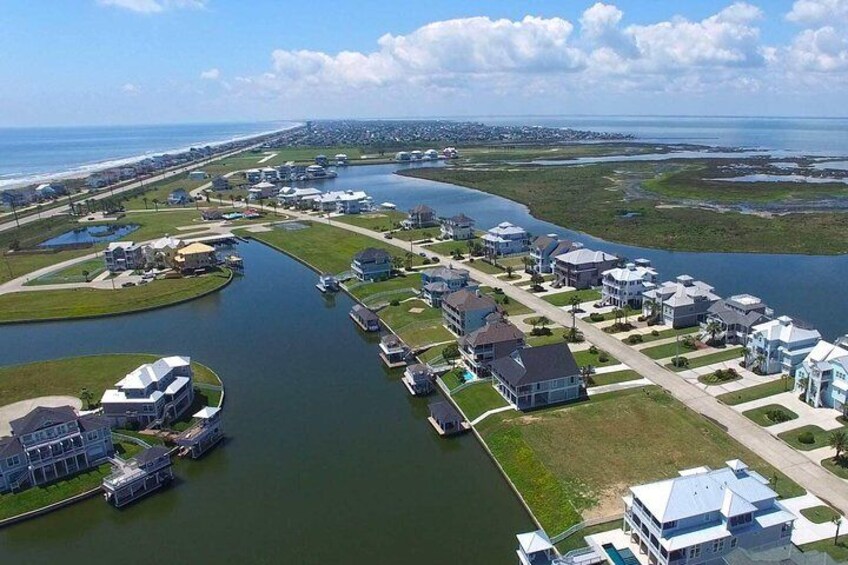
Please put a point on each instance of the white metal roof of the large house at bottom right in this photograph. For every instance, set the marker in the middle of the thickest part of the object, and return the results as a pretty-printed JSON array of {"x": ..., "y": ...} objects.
[{"x": 696, "y": 494}]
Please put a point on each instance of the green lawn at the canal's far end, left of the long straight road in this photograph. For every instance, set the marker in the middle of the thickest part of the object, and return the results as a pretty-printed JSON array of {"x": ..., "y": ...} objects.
[{"x": 326, "y": 248}]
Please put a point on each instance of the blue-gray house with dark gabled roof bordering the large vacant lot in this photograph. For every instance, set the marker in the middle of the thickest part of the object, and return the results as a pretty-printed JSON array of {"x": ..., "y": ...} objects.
[{"x": 534, "y": 377}]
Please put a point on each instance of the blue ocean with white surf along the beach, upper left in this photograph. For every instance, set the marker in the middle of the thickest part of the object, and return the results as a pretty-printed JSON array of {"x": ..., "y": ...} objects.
[{"x": 29, "y": 155}]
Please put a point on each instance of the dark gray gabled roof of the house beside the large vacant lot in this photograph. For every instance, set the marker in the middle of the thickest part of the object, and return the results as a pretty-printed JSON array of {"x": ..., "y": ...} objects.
[{"x": 536, "y": 364}]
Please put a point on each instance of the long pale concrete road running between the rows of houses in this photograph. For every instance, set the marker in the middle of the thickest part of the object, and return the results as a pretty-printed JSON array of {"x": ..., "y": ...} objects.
[{"x": 795, "y": 465}]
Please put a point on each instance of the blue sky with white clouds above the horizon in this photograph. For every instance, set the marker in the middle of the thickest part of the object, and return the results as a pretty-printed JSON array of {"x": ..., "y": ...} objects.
[{"x": 155, "y": 61}]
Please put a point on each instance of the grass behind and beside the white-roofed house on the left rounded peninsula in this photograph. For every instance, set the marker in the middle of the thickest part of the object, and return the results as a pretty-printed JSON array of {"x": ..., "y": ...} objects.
[{"x": 68, "y": 376}]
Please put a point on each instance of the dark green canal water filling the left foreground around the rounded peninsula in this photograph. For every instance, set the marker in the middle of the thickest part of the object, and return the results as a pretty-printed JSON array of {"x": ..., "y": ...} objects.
[{"x": 329, "y": 459}]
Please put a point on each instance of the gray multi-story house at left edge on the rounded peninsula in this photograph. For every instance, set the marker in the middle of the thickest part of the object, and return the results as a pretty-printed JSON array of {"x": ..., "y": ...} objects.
[{"x": 48, "y": 444}]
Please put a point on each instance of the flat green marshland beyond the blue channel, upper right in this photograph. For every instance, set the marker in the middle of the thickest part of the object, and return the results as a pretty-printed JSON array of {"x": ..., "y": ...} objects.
[{"x": 593, "y": 199}]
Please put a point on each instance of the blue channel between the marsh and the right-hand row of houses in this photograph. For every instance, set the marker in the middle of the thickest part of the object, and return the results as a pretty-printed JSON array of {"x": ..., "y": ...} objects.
[{"x": 809, "y": 288}]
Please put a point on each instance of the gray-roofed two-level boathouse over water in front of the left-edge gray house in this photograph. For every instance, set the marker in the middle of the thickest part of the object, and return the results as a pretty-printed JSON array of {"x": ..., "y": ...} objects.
[{"x": 139, "y": 476}]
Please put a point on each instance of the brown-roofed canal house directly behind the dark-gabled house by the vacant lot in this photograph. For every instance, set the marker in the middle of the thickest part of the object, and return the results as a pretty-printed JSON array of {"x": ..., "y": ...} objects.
[{"x": 498, "y": 338}]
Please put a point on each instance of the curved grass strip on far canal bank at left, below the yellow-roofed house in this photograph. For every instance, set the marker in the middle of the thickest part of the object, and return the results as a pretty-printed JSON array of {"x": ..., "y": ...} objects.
[{"x": 88, "y": 302}]
